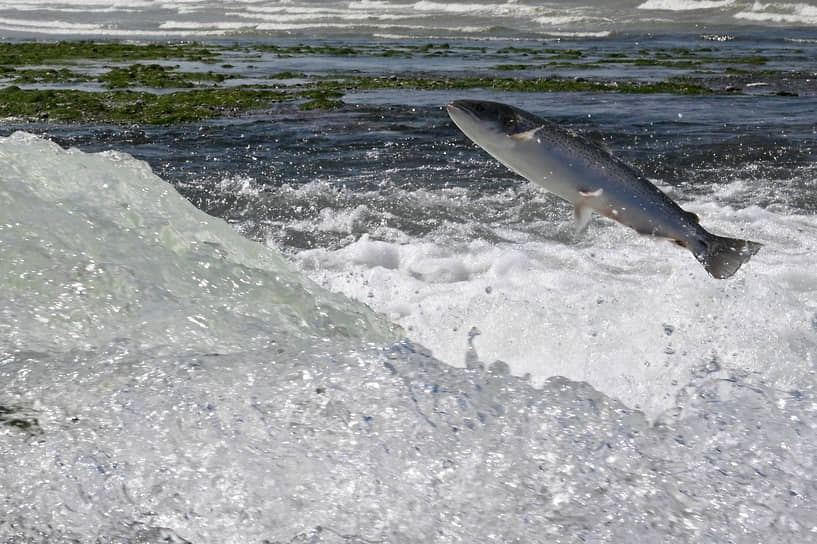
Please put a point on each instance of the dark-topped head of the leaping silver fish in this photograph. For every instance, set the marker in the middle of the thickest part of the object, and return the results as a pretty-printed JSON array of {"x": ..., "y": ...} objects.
[{"x": 484, "y": 121}]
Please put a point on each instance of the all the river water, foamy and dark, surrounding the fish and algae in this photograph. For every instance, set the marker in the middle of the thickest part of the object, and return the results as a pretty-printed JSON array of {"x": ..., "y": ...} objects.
[{"x": 355, "y": 326}]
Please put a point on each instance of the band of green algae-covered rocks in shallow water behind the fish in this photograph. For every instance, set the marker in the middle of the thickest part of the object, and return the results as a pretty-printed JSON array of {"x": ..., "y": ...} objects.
[{"x": 113, "y": 82}]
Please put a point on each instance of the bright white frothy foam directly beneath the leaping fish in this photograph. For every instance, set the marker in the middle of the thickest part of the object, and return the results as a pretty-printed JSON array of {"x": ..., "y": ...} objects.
[{"x": 578, "y": 309}]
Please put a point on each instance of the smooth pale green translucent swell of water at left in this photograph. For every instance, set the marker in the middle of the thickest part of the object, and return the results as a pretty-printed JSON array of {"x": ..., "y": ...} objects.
[{"x": 99, "y": 219}]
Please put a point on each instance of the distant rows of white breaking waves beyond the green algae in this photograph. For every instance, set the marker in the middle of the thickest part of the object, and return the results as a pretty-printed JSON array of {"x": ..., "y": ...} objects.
[{"x": 479, "y": 20}]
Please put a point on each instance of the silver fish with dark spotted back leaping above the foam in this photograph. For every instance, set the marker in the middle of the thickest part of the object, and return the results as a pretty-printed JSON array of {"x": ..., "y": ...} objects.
[{"x": 590, "y": 178}]
